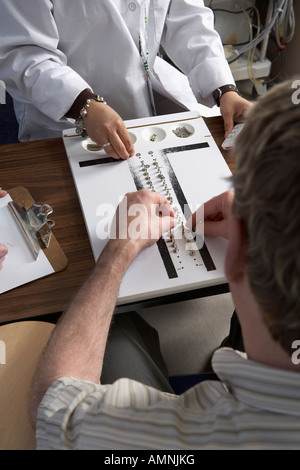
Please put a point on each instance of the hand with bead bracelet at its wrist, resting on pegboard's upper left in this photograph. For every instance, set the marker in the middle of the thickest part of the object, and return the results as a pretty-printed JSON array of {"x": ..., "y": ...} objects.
[{"x": 103, "y": 126}]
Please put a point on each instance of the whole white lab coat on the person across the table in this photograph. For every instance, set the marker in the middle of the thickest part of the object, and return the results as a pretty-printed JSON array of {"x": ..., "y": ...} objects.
[{"x": 51, "y": 50}]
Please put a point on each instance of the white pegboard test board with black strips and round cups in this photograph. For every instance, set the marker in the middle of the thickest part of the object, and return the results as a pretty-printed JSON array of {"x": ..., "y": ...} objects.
[{"x": 186, "y": 167}]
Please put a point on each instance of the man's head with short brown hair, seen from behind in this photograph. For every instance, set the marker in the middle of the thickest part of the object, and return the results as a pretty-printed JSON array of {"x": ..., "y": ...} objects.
[{"x": 267, "y": 200}]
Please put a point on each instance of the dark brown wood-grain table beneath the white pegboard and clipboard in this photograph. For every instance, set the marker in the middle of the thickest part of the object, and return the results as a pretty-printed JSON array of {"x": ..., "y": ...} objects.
[{"x": 43, "y": 168}]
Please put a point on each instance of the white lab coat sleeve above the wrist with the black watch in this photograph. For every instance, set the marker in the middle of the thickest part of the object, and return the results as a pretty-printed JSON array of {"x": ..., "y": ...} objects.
[{"x": 195, "y": 47}]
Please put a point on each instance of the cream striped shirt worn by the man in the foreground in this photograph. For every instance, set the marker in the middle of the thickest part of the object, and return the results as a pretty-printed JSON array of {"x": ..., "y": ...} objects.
[{"x": 253, "y": 406}]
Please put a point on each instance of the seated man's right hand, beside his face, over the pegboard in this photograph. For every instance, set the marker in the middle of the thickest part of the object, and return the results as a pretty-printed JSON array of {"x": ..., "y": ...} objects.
[{"x": 217, "y": 212}]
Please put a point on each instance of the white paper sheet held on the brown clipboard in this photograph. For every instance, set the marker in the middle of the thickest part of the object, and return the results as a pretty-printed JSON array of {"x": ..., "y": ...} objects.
[{"x": 19, "y": 266}]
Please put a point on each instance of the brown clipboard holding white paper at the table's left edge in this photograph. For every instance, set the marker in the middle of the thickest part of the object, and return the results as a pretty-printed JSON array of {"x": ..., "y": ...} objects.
[{"x": 48, "y": 260}]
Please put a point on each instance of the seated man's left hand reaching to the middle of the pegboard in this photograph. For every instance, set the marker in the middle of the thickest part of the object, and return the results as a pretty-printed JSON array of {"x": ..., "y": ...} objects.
[{"x": 141, "y": 219}]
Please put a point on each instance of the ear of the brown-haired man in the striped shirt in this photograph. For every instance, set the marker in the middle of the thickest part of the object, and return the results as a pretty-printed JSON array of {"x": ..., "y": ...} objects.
[{"x": 235, "y": 262}]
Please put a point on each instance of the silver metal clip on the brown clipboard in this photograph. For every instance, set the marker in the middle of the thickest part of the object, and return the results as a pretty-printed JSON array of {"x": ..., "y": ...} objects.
[{"x": 34, "y": 222}]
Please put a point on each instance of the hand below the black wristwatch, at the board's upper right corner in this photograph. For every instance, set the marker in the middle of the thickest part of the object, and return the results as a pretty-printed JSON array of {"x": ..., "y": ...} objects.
[{"x": 233, "y": 109}]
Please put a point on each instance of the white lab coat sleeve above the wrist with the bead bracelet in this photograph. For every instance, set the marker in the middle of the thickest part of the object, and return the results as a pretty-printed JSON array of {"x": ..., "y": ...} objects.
[{"x": 31, "y": 65}]
